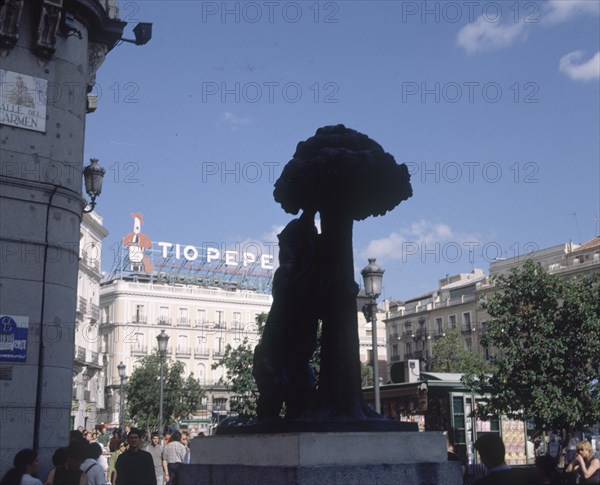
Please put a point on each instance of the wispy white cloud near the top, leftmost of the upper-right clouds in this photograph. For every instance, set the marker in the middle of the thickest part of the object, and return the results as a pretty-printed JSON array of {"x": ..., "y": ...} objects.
[{"x": 484, "y": 36}]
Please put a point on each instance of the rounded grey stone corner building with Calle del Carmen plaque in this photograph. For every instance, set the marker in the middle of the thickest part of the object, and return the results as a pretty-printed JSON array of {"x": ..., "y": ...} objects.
[{"x": 49, "y": 53}]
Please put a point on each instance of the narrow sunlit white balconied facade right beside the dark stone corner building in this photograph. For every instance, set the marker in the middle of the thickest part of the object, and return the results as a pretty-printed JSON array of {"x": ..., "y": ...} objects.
[{"x": 88, "y": 363}]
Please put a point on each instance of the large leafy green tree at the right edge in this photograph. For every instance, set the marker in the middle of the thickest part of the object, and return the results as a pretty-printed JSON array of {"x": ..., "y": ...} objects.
[{"x": 546, "y": 334}]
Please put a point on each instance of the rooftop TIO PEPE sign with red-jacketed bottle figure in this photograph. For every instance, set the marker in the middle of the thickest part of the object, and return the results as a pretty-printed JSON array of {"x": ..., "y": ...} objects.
[{"x": 142, "y": 255}]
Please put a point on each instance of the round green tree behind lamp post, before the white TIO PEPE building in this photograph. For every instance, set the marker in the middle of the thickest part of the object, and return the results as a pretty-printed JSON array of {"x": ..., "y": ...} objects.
[{"x": 182, "y": 396}]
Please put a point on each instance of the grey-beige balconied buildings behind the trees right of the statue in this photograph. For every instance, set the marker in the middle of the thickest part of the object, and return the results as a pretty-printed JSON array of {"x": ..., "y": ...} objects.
[{"x": 413, "y": 325}]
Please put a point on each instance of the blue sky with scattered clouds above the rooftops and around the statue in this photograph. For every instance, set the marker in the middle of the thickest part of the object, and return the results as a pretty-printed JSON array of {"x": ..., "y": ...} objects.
[{"x": 494, "y": 107}]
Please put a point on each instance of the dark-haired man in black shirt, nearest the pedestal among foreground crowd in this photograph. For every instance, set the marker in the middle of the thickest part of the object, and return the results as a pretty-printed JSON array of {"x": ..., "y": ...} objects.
[{"x": 135, "y": 466}]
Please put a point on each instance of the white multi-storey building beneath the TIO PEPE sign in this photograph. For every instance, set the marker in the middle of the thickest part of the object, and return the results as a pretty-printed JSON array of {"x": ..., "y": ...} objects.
[{"x": 200, "y": 321}]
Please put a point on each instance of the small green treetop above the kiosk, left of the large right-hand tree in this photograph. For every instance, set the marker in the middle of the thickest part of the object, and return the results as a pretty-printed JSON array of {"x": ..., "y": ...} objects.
[{"x": 450, "y": 355}]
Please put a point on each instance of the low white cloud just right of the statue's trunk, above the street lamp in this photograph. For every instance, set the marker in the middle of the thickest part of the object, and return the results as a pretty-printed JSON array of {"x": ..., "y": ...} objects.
[{"x": 419, "y": 237}]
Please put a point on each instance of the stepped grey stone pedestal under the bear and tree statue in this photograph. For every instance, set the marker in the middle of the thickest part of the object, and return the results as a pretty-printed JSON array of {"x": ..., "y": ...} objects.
[{"x": 399, "y": 458}]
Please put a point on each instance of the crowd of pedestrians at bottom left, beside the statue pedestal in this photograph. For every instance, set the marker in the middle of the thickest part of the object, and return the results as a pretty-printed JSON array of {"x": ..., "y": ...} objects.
[{"x": 97, "y": 458}]
